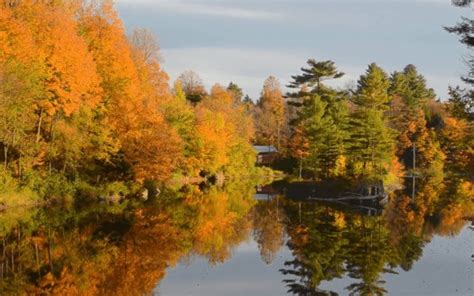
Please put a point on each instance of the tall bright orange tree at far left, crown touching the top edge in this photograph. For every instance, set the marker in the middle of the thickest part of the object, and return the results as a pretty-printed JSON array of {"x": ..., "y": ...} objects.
[{"x": 56, "y": 53}]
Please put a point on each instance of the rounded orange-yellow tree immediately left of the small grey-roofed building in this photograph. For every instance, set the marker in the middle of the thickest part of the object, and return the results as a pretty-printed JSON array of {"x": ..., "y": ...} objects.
[{"x": 224, "y": 132}]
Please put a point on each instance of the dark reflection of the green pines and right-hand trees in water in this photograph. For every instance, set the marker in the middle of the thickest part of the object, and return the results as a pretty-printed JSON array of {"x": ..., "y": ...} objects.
[{"x": 329, "y": 243}]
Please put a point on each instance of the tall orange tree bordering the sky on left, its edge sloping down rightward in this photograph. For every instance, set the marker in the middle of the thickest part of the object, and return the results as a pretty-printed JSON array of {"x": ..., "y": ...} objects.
[{"x": 134, "y": 86}]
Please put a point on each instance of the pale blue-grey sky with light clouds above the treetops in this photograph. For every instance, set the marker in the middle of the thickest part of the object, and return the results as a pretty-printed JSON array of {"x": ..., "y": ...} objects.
[{"x": 248, "y": 40}]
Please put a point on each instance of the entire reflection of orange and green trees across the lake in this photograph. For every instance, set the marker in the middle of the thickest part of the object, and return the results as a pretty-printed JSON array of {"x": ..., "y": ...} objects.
[{"x": 125, "y": 249}]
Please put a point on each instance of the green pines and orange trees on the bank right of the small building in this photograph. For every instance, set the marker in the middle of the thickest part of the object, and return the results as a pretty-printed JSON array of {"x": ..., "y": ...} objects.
[{"x": 384, "y": 126}]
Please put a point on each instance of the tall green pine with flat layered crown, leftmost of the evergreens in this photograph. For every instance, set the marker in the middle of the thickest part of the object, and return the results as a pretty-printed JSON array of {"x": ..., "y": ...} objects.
[{"x": 322, "y": 112}]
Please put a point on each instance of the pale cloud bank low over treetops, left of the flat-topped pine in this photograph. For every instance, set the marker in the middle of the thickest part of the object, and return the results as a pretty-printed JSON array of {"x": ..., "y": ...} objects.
[{"x": 248, "y": 67}]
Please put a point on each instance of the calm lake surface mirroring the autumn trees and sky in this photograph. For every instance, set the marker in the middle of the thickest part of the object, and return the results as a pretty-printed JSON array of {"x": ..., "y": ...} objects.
[{"x": 229, "y": 241}]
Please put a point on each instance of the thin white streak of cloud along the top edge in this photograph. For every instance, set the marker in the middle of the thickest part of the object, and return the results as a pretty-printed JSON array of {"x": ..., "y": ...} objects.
[{"x": 214, "y": 8}]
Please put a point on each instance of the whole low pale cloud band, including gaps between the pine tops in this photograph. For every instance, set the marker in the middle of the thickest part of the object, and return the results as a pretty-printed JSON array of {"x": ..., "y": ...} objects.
[{"x": 249, "y": 67}]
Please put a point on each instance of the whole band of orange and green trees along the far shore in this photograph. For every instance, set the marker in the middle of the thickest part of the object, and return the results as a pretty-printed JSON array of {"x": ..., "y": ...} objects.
[{"x": 86, "y": 107}]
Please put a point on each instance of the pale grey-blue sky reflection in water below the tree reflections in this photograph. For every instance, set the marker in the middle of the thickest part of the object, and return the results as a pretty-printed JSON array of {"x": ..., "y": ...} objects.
[{"x": 444, "y": 269}]
